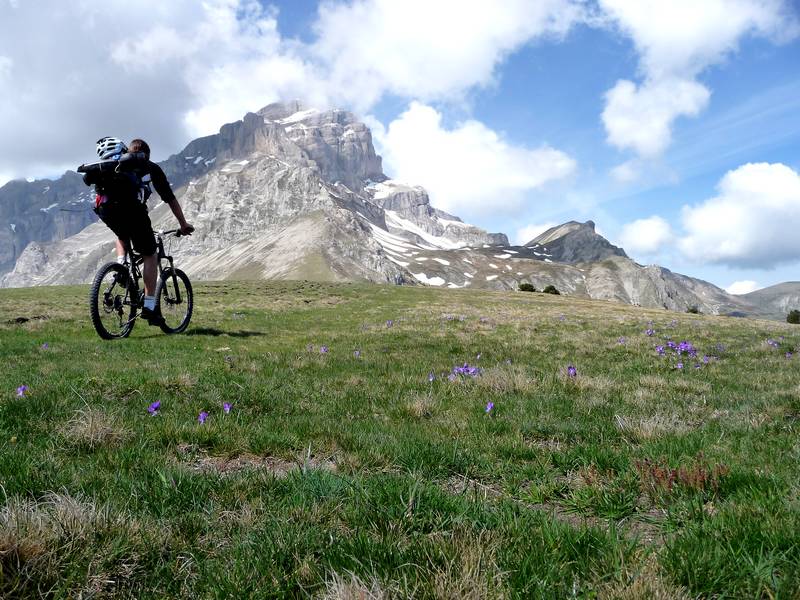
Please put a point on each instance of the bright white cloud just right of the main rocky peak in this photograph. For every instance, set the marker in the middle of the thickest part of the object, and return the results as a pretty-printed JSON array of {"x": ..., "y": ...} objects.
[{"x": 469, "y": 168}]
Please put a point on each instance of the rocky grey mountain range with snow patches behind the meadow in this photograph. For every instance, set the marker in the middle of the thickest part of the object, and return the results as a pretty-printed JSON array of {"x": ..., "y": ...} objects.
[{"x": 295, "y": 192}]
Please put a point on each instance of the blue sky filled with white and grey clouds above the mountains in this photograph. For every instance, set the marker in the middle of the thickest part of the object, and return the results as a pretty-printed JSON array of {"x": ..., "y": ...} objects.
[{"x": 675, "y": 126}]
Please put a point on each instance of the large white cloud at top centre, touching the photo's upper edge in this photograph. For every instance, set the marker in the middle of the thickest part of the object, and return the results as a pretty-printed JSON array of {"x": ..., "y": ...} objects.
[{"x": 427, "y": 50}]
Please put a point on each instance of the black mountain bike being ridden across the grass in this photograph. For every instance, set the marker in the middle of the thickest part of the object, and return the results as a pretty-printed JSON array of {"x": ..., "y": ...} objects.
[{"x": 116, "y": 296}]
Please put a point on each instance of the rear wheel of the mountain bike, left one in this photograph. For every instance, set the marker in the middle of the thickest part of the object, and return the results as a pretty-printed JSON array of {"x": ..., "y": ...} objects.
[{"x": 112, "y": 302}]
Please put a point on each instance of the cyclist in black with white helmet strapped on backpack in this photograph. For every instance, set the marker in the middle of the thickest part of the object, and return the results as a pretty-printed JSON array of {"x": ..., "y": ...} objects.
[{"x": 121, "y": 181}]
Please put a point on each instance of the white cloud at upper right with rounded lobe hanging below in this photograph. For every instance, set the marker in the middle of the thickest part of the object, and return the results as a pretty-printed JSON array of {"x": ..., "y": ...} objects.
[{"x": 676, "y": 41}]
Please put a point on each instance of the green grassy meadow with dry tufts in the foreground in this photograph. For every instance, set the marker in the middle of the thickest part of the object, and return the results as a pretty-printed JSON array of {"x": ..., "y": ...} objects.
[{"x": 343, "y": 476}]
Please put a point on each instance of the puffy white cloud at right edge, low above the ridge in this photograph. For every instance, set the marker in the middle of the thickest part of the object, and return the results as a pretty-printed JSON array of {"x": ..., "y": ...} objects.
[{"x": 753, "y": 222}]
